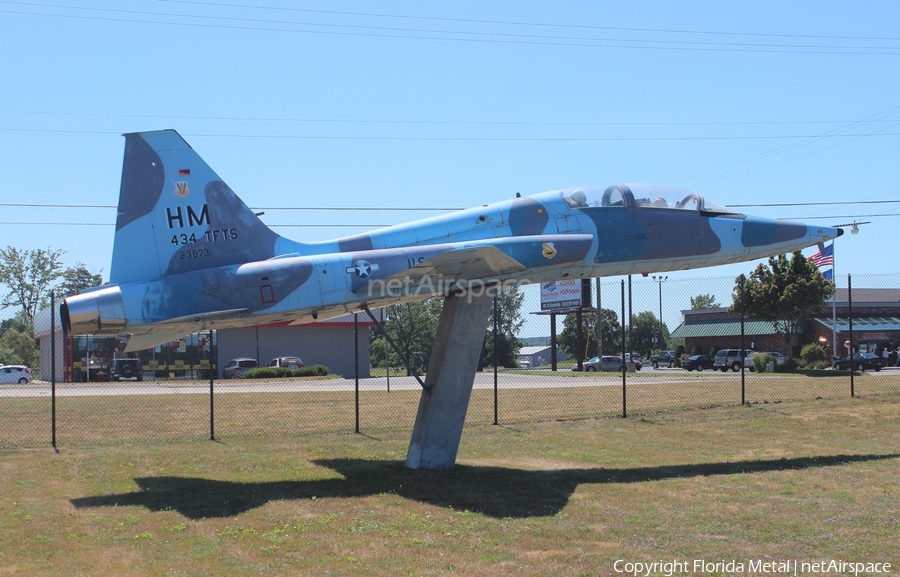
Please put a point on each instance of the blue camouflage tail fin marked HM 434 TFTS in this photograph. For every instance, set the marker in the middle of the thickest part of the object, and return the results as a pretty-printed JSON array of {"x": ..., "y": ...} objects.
[{"x": 176, "y": 215}]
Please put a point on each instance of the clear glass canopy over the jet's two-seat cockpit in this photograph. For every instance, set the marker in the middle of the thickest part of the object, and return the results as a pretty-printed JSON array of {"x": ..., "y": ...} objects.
[{"x": 642, "y": 196}]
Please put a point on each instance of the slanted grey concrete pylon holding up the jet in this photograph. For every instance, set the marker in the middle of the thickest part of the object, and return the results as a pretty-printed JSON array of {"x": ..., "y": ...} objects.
[{"x": 448, "y": 383}]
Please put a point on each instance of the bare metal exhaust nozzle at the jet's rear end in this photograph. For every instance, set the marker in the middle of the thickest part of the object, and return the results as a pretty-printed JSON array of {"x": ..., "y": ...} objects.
[{"x": 100, "y": 312}]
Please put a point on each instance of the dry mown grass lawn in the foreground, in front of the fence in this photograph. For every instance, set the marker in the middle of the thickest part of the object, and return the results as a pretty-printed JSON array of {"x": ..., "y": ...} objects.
[{"x": 798, "y": 480}]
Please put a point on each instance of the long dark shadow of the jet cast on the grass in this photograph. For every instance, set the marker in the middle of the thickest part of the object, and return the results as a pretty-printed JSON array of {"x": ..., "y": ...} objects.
[{"x": 493, "y": 491}]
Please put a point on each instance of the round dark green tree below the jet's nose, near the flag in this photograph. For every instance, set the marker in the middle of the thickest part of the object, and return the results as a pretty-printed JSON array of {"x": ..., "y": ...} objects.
[{"x": 784, "y": 293}]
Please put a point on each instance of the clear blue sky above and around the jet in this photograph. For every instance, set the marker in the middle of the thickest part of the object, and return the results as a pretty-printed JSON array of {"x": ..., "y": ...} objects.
[{"x": 355, "y": 105}]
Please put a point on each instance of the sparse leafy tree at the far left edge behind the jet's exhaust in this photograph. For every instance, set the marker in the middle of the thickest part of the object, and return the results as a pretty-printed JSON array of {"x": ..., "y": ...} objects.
[{"x": 28, "y": 274}]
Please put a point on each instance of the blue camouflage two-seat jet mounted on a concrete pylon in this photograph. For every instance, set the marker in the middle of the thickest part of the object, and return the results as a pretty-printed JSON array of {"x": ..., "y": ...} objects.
[{"x": 189, "y": 255}]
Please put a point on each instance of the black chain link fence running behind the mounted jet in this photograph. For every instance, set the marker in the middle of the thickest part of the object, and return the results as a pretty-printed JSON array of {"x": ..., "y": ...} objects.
[{"x": 97, "y": 394}]
